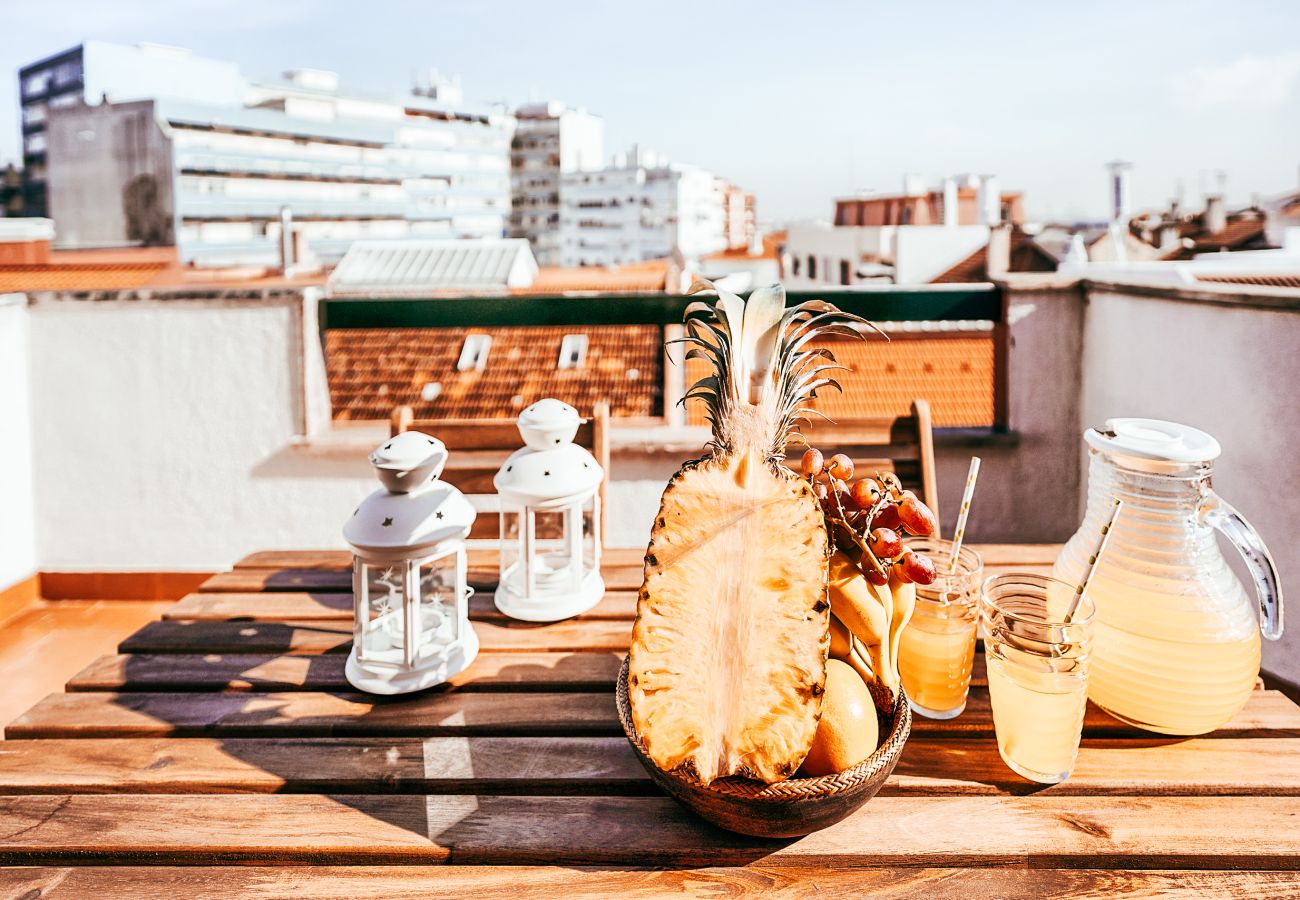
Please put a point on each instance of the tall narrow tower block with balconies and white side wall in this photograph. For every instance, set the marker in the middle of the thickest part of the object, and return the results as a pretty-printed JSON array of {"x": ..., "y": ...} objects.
[{"x": 549, "y": 141}]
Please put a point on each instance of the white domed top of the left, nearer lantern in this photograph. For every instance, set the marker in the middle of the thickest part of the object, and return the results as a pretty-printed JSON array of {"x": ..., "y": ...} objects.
[{"x": 414, "y": 513}]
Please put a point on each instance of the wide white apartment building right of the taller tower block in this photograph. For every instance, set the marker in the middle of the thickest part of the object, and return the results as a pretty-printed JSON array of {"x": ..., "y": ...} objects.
[{"x": 643, "y": 207}]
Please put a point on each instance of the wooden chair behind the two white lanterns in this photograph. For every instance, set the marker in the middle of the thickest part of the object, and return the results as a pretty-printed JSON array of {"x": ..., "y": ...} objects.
[{"x": 479, "y": 447}]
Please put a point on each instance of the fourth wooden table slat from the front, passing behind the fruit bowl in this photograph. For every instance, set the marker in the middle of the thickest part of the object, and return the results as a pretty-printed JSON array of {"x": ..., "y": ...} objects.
[{"x": 1267, "y": 715}]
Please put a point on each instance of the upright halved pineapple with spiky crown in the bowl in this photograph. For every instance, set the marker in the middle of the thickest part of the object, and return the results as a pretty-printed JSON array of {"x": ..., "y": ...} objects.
[{"x": 730, "y": 646}]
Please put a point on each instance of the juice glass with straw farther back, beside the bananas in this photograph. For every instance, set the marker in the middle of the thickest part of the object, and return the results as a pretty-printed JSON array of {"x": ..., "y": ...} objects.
[{"x": 937, "y": 650}]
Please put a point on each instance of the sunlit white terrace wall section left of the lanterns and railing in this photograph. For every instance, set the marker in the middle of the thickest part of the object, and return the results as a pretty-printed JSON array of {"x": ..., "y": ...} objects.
[{"x": 162, "y": 429}]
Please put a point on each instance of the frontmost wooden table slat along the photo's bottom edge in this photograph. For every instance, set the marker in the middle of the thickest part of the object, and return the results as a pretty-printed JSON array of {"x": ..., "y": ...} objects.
[{"x": 419, "y": 882}]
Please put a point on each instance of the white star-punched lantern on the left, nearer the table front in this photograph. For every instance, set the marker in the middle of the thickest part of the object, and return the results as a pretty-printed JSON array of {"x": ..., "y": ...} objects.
[{"x": 409, "y": 573}]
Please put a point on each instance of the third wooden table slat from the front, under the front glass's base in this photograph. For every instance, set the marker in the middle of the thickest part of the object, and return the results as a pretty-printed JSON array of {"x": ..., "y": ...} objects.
[{"x": 600, "y": 767}]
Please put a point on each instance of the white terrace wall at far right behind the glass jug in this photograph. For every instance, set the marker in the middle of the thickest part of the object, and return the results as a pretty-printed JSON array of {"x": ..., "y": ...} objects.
[{"x": 1228, "y": 362}]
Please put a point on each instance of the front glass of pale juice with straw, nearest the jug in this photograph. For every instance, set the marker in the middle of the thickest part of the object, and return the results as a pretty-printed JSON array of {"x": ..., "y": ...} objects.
[{"x": 1038, "y": 672}]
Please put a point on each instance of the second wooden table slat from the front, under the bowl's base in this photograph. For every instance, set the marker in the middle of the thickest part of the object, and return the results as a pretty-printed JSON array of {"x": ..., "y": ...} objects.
[{"x": 1159, "y": 833}]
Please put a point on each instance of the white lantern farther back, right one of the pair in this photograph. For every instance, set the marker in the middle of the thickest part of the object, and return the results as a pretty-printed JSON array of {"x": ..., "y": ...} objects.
[{"x": 551, "y": 520}]
